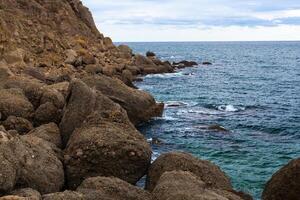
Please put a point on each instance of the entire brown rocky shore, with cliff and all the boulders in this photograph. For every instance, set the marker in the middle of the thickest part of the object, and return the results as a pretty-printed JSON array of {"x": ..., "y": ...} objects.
[{"x": 69, "y": 111}]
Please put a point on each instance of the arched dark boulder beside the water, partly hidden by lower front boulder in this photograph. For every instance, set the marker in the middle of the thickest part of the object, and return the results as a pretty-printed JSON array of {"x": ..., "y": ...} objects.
[{"x": 209, "y": 173}]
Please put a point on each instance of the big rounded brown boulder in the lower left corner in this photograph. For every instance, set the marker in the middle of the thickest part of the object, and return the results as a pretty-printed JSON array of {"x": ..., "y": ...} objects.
[{"x": 27, "y": 162}]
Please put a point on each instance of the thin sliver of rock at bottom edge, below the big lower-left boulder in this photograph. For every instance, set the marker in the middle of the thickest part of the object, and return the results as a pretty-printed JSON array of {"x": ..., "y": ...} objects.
[{"x": 66, "y": 195}]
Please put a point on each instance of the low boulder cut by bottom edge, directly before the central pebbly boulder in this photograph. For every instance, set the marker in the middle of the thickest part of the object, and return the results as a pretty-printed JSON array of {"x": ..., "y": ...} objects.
[{"x": 111, "y": 188}]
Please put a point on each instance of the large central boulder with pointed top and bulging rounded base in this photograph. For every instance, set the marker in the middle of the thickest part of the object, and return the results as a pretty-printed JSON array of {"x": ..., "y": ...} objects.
[{"x": 104, "y": 142}]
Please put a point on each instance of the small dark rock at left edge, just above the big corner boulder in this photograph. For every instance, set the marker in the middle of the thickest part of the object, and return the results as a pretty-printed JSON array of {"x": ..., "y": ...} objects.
[{"x": 19, "y": 124}]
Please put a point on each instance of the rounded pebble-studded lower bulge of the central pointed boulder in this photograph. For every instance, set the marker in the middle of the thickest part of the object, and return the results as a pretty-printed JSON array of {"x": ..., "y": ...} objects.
[{"x": 106, "y": 149}]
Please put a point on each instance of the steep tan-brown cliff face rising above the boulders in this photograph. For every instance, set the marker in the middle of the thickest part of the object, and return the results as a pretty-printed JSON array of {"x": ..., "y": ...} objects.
[{"x": 40, "y": 31}]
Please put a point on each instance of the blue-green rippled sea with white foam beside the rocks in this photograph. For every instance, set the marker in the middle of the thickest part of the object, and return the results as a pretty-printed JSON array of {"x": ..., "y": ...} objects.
[{"x": 252, "y": 90}]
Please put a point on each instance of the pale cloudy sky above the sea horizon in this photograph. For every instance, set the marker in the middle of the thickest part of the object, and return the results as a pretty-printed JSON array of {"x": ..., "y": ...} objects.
[{"x": 197, "y": 20}]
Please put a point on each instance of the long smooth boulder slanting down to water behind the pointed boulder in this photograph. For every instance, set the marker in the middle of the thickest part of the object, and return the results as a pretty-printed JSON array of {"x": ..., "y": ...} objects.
[{"x": 140, "y": 105}]
